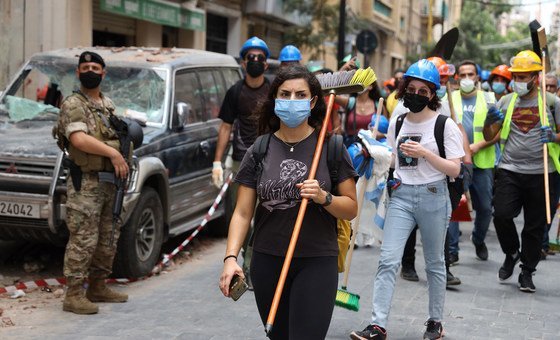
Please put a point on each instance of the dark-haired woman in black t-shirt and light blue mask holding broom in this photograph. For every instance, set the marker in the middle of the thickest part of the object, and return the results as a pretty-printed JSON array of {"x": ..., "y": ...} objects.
[{"x": 292, "y": 114}]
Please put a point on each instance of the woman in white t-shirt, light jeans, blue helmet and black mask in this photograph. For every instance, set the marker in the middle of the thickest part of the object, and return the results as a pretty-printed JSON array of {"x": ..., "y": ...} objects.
[{"x": 420, "y": 198}]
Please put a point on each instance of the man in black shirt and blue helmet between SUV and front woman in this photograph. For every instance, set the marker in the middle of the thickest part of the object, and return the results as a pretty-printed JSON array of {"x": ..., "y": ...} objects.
[{"x": 237, "y": 113}]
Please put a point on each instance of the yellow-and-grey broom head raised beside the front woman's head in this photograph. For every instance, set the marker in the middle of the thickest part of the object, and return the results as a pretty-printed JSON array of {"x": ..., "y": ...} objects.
[{"x": 347, "y": 82}]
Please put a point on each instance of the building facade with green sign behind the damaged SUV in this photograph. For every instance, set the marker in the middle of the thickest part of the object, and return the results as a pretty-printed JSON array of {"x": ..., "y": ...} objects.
[{"x": 31, "y": 26}]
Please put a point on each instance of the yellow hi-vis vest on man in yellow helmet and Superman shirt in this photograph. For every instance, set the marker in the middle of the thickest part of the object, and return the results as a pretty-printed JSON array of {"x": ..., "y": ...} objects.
[{"x": 553, "y": 148}]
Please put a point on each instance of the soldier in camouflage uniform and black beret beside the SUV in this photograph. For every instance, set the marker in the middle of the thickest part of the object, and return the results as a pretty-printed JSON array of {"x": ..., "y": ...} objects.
[{"x": 92, "y": 145}]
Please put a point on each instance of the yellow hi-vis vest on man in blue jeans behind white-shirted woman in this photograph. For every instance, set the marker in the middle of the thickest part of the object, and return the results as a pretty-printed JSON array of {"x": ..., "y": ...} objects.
[{"x": 485, "y": 158}]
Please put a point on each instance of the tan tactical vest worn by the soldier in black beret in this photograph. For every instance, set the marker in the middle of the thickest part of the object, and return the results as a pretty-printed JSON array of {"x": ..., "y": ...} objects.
[{"x": 104, "y": 132}]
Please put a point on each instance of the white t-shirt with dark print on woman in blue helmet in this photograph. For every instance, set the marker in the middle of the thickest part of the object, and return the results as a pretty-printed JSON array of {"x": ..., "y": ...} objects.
[{"x": 418, "y": 170}]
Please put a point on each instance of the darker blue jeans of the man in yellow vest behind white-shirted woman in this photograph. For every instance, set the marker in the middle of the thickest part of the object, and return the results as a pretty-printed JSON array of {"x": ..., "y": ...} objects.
[{"x": 481, "y": 195}]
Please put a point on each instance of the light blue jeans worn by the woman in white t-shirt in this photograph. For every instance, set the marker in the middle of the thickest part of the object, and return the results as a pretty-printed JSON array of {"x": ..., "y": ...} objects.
[{"x": 428, "y": 206}]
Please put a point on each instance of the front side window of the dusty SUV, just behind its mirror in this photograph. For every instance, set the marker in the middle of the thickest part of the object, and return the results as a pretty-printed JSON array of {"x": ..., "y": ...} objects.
[{"x": 187, "y": 90}]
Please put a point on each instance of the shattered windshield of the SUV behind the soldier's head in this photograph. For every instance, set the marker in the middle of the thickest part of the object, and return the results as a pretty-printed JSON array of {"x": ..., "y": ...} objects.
[{"x": 38, "y": 92}]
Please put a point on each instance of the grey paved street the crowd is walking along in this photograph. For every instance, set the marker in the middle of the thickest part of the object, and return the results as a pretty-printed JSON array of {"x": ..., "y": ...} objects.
[{"x": 186, "y": 304}]
